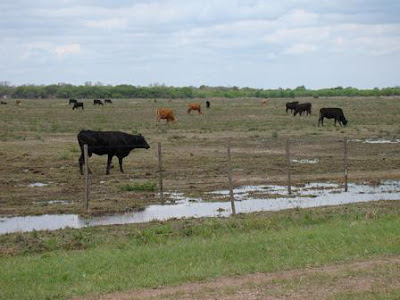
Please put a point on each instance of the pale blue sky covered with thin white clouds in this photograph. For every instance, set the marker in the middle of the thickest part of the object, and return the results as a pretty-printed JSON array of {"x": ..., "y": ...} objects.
[{"x": 244, "y": 43}]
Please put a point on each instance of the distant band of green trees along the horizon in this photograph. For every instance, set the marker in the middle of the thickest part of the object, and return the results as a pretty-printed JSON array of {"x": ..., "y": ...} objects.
[{"x": 160, "y": 91}]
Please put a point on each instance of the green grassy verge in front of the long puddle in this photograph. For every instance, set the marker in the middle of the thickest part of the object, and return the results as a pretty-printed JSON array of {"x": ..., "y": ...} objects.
[{"x": 92, "y": 261}]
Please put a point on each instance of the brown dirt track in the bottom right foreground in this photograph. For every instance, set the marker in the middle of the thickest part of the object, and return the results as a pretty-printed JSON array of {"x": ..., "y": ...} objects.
[{"x": 375, "y": 276}]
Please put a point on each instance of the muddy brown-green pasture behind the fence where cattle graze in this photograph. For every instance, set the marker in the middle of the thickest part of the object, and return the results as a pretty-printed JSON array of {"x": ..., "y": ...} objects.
[{"x": 38, "y": 144}]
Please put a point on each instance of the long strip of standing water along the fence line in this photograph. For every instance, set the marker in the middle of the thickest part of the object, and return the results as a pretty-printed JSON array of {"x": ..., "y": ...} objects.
[{"x": 247, "y": 199}]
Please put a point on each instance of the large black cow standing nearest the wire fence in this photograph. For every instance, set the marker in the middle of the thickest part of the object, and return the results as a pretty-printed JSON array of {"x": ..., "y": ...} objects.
[{"x": 112, "y": 143}]
